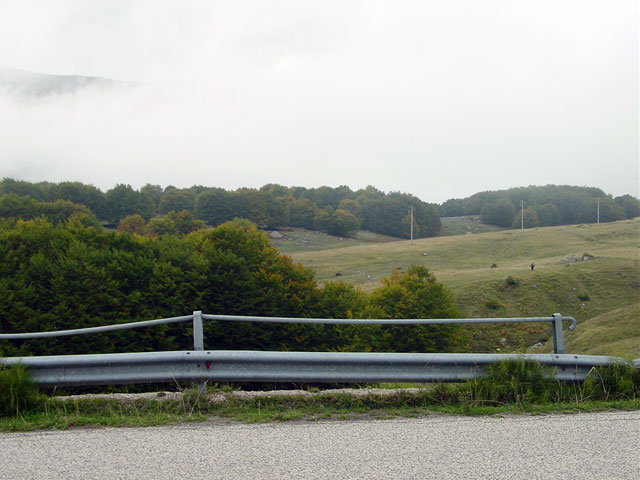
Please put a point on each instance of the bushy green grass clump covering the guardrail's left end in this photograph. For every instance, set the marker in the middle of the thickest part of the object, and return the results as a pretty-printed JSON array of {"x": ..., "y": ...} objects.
[{"x": 18, "y": 394}]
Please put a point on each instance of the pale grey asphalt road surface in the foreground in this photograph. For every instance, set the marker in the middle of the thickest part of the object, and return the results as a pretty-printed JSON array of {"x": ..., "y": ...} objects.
[{"x": 579, "y": 446}]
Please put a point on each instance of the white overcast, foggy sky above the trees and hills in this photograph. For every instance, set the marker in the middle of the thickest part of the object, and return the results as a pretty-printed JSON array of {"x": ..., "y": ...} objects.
[{"x": 438, "y": 98}]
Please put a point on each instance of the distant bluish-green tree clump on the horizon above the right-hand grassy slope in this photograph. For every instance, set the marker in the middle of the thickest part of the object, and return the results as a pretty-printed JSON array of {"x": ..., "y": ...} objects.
[{"x": 544, "y": 206}]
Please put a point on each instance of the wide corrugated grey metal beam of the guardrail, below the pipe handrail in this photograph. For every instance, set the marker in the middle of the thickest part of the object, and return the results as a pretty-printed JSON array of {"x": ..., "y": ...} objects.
[{"x": 251, "y": 366}]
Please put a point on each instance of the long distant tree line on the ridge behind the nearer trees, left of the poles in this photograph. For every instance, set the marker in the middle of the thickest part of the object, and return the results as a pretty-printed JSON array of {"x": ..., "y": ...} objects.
[{"x": 338, "y": 211}]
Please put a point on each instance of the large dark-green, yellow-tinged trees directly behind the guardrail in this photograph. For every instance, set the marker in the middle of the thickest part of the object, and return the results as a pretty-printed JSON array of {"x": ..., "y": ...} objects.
[{"x": 69, "y": 275}]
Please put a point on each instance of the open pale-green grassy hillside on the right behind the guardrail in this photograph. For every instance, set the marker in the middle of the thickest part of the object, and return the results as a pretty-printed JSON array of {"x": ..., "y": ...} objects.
[{"x": 600, "y": 288}]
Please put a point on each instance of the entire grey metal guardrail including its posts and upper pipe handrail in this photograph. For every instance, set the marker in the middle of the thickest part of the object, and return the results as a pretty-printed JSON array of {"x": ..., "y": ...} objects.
[{"x": 250, "y": 366}]
